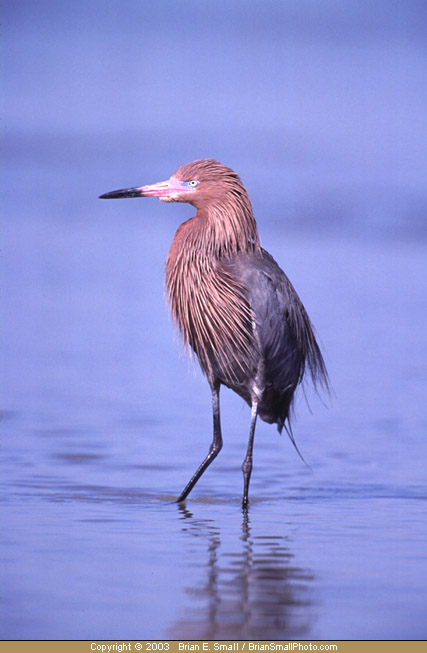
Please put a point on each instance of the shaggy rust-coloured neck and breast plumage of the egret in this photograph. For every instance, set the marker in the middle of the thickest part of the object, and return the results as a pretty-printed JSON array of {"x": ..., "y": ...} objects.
[{"x": 207, "y": 304}]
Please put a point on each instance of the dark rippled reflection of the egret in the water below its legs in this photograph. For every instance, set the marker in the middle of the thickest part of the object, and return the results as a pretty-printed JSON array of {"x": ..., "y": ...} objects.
[{"x": 252, "y": 592}]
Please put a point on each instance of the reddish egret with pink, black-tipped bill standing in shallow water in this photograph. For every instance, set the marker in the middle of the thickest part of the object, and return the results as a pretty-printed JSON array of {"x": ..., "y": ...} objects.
[{"x": 233, "y": 305}]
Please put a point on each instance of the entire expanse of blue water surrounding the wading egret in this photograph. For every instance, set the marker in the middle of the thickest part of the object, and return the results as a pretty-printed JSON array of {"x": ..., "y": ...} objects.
[{"x": 322, "y": 113}]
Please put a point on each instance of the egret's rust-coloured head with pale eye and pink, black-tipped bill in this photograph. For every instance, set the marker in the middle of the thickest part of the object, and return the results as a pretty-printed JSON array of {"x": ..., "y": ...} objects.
[{"x": 201, "y": 183}]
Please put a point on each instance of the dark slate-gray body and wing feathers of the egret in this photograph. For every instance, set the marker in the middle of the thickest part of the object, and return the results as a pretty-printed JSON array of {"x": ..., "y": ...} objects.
[{"x": 284, "y": 345}]
